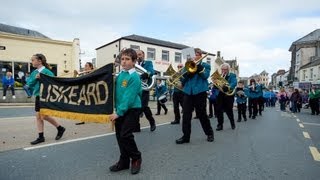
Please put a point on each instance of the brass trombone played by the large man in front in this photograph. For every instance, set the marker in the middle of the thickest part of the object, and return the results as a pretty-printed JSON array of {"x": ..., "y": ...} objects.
[{"x": 190, "y": 67}]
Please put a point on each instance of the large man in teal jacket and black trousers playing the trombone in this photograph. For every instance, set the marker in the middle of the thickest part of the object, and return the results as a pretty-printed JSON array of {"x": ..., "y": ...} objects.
[{"x": 195, "y": 86}]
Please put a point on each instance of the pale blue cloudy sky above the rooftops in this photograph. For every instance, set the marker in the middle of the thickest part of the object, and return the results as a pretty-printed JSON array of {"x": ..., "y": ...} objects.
[{"x": 257, "y": 33}]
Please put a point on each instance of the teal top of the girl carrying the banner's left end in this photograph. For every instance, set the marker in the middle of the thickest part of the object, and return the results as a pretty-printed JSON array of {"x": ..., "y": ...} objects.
[{"x": 34, "y": 84}]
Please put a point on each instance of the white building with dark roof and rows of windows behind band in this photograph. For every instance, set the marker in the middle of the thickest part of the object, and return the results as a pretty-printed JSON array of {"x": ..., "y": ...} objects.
[{"x": 162, "y": 53}]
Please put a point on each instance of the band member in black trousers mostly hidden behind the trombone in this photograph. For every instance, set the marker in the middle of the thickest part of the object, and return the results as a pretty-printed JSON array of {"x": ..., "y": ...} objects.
[{"x": 177, "y": 99}]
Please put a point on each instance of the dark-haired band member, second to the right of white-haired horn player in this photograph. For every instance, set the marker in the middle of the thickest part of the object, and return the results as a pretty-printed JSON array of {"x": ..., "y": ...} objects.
[{"x": 253, "y": 94}]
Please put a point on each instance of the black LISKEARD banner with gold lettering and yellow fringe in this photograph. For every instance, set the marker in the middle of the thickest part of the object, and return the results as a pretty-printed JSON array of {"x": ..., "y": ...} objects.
[{"x": 88, "y": 98}]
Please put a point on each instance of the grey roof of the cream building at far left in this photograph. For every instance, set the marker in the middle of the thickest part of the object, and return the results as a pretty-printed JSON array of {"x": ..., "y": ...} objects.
[{"x": 21, "y": 31}]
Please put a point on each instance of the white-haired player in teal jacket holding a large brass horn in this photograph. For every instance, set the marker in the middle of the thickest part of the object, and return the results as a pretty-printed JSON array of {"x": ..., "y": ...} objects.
[{"x": 224, "y": 102}]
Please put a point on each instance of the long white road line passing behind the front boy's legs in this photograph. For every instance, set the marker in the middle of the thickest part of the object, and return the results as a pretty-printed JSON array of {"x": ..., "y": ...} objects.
[{"x": 80, "y": 139}]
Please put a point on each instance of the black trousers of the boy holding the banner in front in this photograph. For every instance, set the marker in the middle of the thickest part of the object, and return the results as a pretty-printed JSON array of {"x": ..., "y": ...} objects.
[{"x": 124, "y": 127}]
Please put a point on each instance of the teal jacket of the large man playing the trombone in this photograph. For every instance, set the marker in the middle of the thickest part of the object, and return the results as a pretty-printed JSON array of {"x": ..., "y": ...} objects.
[{"x": 198, "y": 83}]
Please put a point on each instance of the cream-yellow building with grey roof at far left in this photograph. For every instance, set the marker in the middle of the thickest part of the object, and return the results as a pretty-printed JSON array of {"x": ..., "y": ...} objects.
[{"x": 17, "y": 45}]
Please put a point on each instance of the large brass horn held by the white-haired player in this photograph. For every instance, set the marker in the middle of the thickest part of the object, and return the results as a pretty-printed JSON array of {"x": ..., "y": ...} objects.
[{"x": 220, "y": 82}]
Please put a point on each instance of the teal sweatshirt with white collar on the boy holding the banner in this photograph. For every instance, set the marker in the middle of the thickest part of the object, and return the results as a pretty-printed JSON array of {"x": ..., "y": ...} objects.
[{"x": 128, "y": 91}]
